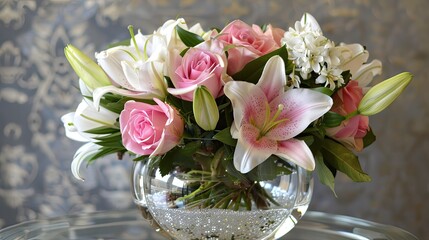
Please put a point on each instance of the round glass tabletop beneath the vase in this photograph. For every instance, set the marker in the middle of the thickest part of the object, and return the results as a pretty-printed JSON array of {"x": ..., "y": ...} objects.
[{"x": 130, "y": 224}]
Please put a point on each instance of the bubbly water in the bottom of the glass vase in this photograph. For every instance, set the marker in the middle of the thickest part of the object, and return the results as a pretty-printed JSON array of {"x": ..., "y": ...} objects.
[{"x": 219, "y": 223}]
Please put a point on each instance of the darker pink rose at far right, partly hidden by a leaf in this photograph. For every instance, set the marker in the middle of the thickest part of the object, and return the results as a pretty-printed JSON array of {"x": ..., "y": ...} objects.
[{"x": 351, "y": 131}]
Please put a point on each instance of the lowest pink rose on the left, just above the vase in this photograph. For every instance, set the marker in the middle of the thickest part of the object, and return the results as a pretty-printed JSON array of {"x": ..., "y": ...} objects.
[{"x": 150, "y": 129}]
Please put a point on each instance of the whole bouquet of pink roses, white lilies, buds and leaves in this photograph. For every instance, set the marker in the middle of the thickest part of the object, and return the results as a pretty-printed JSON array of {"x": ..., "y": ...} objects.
[{"x": 230, "y": 101}]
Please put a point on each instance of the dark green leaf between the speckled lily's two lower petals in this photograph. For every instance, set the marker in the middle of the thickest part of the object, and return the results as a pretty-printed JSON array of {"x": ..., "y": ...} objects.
[{"x": 269, "y": 169}]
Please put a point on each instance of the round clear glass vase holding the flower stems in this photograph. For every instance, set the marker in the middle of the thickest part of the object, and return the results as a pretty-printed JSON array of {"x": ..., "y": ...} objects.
[{"x": 195, "y": 205}]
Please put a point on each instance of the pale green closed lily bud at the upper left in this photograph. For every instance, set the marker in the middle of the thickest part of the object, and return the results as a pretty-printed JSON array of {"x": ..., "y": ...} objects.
[{"x": 89, "y": 71}]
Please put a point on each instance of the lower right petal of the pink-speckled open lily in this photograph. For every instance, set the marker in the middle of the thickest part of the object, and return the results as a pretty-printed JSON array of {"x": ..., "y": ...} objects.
[{"x": 297, "y": 152}]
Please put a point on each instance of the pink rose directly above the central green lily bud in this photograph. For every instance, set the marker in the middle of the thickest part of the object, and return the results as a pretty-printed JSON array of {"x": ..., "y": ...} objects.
[{"x": 204, "y": 64}]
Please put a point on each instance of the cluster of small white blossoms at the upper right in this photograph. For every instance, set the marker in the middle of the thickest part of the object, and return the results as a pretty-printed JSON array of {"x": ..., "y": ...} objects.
[{"x": 312, "y": 52}]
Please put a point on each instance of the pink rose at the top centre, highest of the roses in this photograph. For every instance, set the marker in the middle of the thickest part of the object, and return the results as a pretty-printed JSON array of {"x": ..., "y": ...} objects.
[{"x": 250, "y": 43}]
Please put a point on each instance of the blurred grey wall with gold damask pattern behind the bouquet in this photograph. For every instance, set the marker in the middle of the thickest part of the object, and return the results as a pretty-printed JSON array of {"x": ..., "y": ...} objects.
[{"x": 37, "y": 86}]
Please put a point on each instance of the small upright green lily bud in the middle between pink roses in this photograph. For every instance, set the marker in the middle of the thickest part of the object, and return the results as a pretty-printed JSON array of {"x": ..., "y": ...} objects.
[{"x": 205, "y": 109}]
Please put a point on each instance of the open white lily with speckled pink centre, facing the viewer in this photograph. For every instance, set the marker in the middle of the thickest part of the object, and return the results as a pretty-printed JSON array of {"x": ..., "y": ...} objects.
[{"x": 266, "y": 119}]
